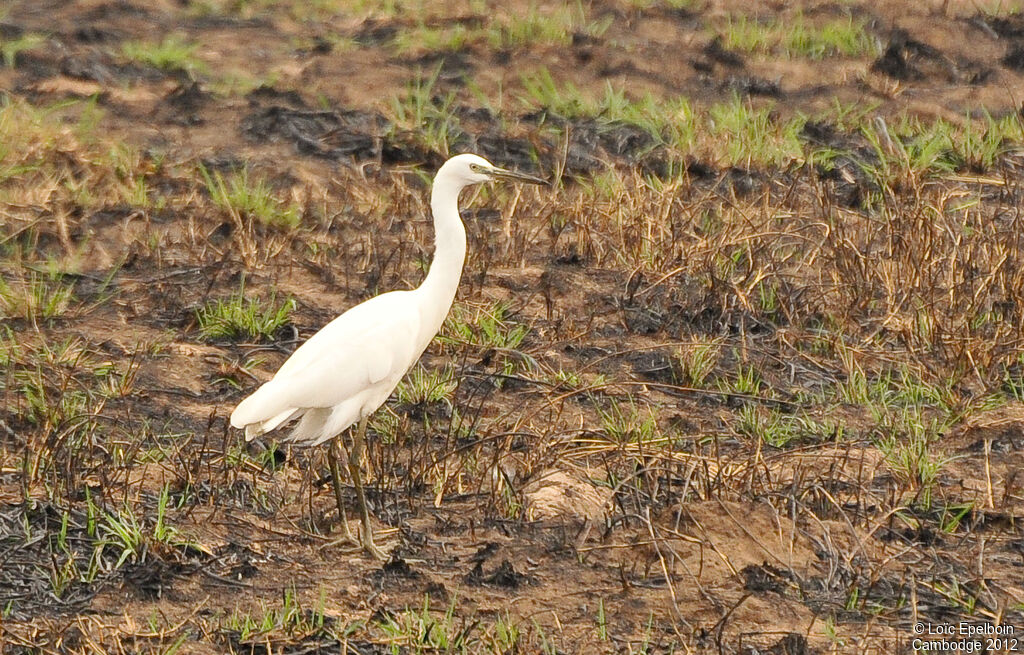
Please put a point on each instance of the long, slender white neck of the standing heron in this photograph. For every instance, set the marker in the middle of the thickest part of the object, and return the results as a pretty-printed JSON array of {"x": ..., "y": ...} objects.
[{"x": 450, "y": 253}]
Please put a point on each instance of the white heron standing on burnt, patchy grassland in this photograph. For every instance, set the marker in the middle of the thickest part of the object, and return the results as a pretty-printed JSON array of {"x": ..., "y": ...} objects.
[{"x": 347, "y": 371}]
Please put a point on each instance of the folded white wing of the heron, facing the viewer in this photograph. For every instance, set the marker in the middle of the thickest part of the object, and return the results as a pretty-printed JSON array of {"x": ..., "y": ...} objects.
[{"x": 367, "y": 345}]
